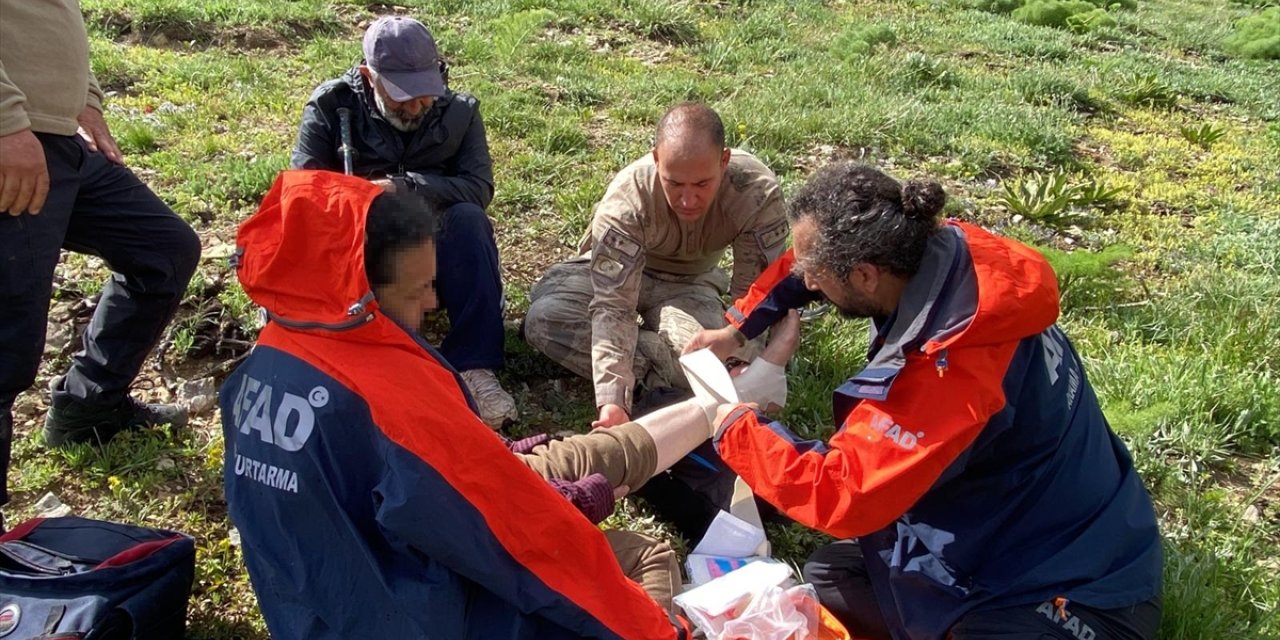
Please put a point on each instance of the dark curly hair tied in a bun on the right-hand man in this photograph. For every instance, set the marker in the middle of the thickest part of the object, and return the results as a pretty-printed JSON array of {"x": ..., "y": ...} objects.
[{"x": 865, "y": 216}]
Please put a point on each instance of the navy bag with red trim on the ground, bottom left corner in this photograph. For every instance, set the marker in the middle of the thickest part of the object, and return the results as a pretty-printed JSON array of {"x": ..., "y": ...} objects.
[{"x": 81, "y": 579}]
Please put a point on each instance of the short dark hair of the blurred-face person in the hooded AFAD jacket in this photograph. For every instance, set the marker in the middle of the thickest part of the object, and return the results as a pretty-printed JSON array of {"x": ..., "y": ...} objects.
[{"x": 396, "y": 222}]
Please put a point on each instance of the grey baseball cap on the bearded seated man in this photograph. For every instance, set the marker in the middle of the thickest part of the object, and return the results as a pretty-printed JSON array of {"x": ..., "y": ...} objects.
[{"x": 404, "y": 56}]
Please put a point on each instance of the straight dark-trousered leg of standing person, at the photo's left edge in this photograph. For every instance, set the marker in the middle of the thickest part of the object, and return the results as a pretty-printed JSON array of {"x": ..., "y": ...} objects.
[{"x": 30, "y": 248}]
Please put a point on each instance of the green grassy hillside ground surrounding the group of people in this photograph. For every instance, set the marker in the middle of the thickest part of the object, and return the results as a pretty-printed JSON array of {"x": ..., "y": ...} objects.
[{"x": 1168, "y": 250}]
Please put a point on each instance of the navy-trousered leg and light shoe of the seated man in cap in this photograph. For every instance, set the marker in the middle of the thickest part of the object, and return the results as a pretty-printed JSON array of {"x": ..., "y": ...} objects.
[{"x": 469, "y": 282}]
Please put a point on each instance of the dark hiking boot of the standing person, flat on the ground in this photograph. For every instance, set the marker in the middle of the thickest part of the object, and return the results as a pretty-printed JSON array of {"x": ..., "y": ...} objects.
[{"x": 72, "y": 422}]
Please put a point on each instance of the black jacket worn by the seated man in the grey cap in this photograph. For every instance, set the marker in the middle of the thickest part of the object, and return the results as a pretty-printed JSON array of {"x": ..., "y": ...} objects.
[{"x": 447, "y": 158}]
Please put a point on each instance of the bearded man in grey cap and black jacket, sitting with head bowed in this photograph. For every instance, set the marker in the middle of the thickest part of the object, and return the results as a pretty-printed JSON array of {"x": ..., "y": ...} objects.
[{"x": 409, "y": 131}]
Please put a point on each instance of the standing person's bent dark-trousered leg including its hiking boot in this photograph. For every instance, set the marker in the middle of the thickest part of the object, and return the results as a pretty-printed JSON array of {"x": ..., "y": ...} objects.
[{"x": 153, "y": 255}]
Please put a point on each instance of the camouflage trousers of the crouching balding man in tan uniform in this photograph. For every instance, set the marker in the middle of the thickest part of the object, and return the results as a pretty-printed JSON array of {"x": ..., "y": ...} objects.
[{"x": 671, "y": 310}]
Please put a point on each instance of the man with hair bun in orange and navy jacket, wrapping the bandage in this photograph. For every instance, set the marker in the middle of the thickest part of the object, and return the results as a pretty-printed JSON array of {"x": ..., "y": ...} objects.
[{"x": 972, "y": 476}]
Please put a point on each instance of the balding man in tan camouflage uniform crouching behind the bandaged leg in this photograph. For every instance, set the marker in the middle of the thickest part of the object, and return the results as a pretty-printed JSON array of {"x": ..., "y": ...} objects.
[{"x": 647, "y": 280}]
